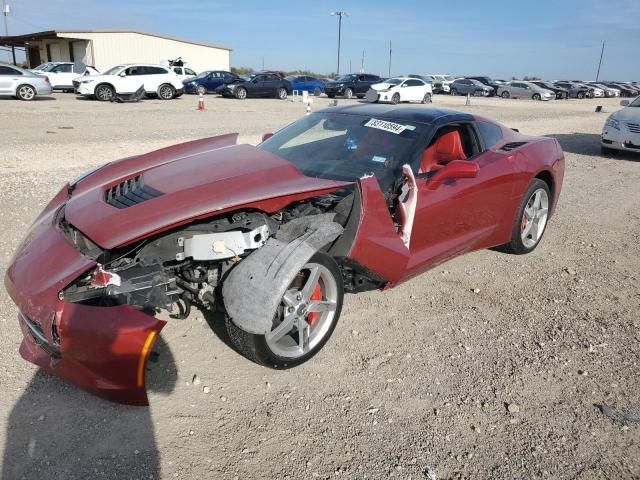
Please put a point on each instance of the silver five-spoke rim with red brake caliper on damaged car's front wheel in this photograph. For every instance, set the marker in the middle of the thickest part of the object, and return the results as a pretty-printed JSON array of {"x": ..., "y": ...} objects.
[{"x": 297, "y": 332}]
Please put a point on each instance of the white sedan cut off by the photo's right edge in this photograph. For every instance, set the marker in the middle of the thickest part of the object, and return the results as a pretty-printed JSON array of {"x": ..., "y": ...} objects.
[{"x": 621, "y": 131}]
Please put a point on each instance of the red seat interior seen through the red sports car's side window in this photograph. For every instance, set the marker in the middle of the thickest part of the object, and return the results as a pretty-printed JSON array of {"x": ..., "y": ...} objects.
[{"x": 451, "y": 142}]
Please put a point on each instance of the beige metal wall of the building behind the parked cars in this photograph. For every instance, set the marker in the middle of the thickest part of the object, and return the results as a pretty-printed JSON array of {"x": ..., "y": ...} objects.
[{"x": 106, "y": 49}]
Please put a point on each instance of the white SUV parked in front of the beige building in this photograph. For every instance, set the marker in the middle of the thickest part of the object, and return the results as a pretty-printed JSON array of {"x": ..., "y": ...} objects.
[{"x": 127, "y": 79}]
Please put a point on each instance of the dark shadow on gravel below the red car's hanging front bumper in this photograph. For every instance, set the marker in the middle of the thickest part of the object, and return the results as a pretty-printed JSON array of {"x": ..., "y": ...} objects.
[{"x": 56, "y": 430}]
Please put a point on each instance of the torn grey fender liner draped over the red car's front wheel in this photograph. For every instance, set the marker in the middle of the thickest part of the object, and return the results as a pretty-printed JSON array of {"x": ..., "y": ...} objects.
[{"x": 254, "y": 288}]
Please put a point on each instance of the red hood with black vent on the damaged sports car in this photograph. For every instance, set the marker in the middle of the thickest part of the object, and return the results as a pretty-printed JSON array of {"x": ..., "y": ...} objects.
[{"x": 193, "y": 180}]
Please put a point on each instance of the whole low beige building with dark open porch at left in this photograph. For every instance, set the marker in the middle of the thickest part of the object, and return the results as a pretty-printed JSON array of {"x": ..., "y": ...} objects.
[{"x": 105, "y": 48}]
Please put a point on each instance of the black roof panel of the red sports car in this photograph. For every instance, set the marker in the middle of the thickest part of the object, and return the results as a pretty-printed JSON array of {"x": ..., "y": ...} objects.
[{"x": 405, "y": 113}]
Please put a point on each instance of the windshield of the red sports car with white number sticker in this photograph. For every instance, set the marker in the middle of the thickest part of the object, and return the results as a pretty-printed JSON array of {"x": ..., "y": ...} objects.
[{"x": 341, "y": 146}]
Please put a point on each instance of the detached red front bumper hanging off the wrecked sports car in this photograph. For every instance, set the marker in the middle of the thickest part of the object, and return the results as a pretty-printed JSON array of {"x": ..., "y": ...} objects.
[{"x": 102, "y": 349}]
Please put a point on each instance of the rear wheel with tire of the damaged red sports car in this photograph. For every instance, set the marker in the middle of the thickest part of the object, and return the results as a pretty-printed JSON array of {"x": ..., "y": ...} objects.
[{"x": 531, "y": 219}]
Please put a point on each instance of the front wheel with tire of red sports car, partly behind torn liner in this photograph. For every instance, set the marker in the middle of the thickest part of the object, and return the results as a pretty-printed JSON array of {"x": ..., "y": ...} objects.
[{"x": 305, "y": 319}]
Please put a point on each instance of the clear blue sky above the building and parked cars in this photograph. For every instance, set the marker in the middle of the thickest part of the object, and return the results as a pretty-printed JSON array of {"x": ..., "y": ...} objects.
[{"x": 551, "y": 39}]
